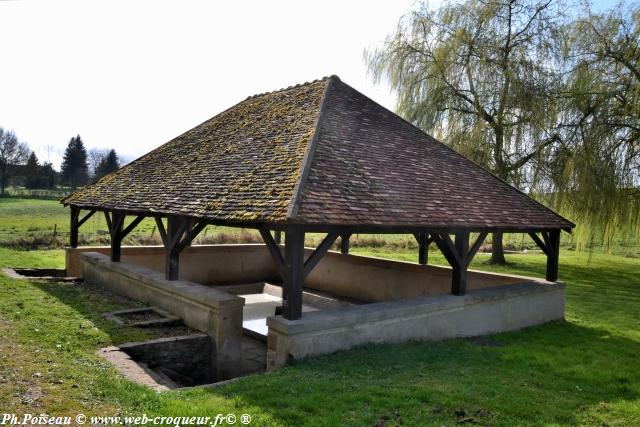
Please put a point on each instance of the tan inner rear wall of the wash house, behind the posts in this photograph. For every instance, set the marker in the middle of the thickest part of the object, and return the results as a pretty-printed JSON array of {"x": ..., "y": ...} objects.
[{"x": 363, "y": 278}]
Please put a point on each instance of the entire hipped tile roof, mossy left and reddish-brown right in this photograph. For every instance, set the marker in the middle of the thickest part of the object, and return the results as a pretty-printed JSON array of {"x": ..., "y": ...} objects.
[{"x": 317, "y": 153}]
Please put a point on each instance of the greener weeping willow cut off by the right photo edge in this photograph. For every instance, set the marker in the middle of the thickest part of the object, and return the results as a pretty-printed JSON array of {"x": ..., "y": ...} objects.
[{"x": 594, "y": 177}]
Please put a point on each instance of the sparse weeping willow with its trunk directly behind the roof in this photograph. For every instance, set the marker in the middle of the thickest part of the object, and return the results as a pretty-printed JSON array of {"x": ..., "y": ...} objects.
[{"x": 481, "y": 76}]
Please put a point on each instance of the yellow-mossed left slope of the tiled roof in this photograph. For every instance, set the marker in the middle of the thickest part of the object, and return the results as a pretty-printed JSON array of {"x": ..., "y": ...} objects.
[{"x": 242, "y": 164}]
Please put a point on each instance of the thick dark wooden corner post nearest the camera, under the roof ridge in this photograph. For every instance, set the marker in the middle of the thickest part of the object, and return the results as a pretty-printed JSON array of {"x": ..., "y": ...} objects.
[{"x": 294, "y": 273}]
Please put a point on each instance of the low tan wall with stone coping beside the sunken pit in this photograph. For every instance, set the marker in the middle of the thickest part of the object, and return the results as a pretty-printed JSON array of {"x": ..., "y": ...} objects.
[{"x": 217, "y": 313}]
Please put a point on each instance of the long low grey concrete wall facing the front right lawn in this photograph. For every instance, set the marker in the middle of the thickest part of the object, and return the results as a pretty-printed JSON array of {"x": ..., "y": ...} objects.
[{"x": 479, "y": 312}]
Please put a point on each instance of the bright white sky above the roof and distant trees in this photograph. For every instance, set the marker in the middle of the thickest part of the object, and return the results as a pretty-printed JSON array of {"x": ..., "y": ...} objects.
[{"x": 131, "y": 75}]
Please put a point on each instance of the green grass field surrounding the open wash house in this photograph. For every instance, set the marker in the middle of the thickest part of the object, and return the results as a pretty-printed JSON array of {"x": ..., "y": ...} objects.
[{"x": 583, "y": 371}]
